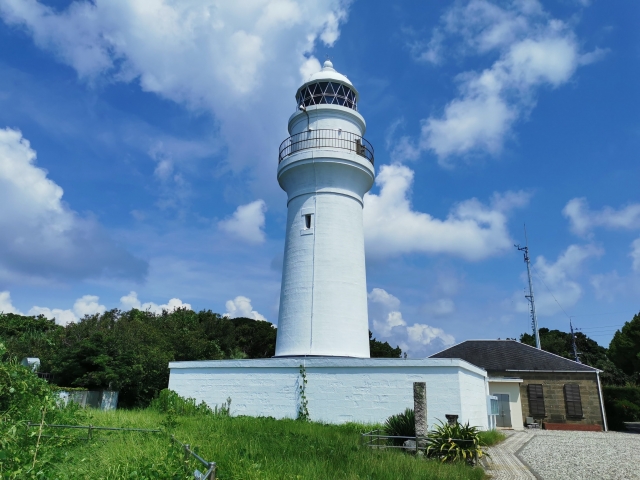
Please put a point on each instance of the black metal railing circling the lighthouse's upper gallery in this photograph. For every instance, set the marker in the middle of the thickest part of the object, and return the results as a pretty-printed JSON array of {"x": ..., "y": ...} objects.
[{"x": 326, "y": 138}]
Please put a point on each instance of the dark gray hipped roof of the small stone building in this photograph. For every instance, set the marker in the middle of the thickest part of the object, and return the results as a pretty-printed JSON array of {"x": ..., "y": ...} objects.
[{"x": 501, "y": 355}]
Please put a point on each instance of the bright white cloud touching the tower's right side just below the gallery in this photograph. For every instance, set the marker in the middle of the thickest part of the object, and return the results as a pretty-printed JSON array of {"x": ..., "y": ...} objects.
[{"x": 472, "y": 230}]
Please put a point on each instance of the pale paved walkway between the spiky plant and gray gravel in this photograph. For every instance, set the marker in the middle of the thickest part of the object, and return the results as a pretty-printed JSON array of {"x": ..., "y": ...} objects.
[{"x": 503, "y": 463}]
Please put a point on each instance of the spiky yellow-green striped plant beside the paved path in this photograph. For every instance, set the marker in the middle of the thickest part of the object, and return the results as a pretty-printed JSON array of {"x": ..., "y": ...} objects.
[{"x": 454, "y": 443}]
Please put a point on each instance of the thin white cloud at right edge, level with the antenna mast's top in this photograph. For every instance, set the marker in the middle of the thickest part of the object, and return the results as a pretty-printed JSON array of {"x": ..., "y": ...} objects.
[{"x": 582, "y": 219}]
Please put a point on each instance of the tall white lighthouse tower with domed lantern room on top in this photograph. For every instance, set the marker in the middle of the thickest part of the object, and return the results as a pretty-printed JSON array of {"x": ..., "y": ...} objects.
[{"x": 326, "y": 167}]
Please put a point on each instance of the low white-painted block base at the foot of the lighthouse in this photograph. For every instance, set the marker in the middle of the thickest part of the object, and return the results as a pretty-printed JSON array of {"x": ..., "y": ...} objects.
[{"x": 338, "y": 390}]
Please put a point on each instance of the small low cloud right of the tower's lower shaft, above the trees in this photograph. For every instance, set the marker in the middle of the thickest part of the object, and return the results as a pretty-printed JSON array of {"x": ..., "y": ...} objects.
[{"x": 389, "y": 325}]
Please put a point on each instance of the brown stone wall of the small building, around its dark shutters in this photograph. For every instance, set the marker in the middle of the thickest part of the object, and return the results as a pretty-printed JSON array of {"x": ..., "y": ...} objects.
[{"x": 553, "y": 391}]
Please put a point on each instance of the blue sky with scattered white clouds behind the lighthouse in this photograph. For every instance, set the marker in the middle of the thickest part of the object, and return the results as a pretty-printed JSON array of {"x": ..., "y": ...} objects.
[{"x": 138, "y": 155}]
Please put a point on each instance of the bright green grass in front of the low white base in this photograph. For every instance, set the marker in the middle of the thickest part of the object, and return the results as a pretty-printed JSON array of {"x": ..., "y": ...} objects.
[{"x": 244, "y": 448}]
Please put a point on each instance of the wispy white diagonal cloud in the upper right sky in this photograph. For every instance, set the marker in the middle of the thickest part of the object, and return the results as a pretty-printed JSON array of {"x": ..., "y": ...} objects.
[{"x": 535, "y": 50}]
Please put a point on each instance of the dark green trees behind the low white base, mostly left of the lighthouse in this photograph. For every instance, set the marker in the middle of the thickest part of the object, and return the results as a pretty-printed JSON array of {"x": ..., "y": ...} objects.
[{"x": 130, "y": 351}]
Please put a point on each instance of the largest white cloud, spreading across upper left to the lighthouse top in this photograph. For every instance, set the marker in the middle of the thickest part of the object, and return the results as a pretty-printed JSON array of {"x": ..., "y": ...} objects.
[{"x": 241, "y": 61}]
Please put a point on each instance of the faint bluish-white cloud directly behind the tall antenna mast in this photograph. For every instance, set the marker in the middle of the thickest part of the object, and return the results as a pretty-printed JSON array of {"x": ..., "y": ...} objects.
[{"x": 559, "y": 279}]
